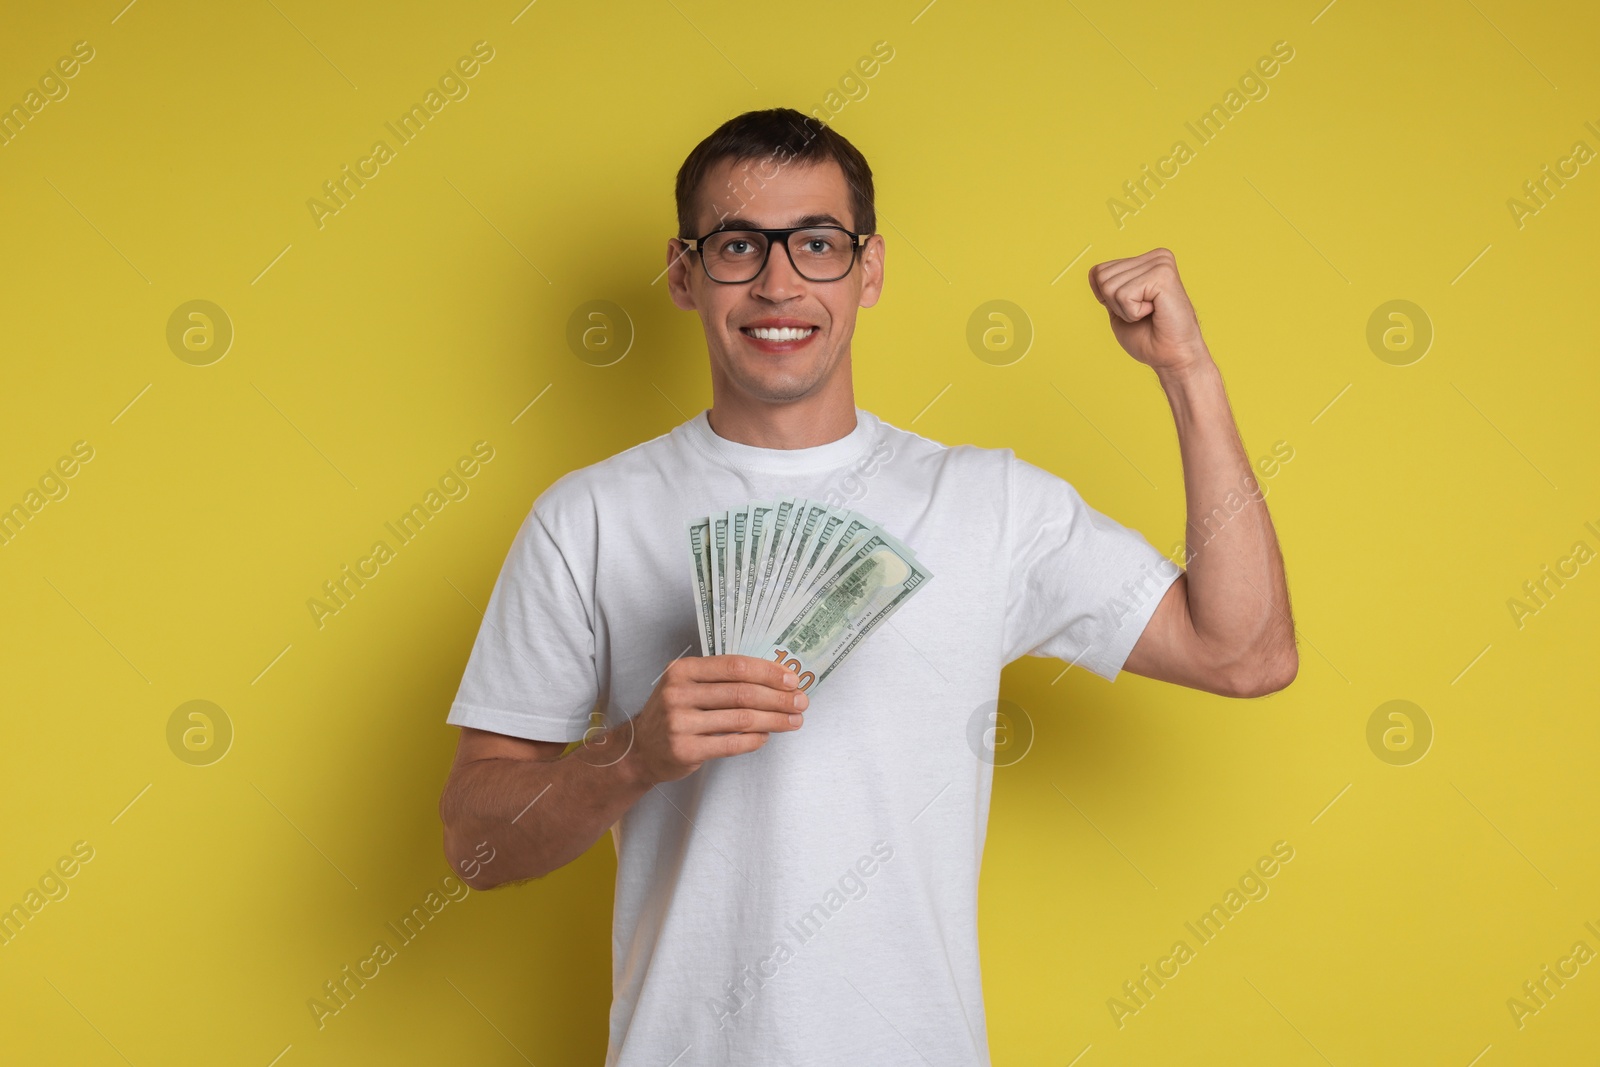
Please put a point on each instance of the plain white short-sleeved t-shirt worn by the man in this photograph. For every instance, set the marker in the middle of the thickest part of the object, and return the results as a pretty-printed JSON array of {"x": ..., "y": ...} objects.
[{"x": 814, "y": 901}]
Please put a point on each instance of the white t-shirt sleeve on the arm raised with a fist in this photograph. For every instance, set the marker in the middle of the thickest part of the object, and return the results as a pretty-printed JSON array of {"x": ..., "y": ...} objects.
[{"x": 1082, "y": 586}]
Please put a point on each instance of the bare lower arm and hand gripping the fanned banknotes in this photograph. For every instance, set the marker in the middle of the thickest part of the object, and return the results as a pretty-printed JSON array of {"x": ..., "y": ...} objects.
[{"x": 516, "y": 810}]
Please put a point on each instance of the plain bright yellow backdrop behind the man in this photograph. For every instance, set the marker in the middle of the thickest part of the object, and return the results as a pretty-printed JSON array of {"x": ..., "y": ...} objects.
[{"x": 431, "y": 311}]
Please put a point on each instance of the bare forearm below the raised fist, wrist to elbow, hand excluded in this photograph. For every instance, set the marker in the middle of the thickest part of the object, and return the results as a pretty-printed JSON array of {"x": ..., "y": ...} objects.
[{"x": 1236, "y": 586}]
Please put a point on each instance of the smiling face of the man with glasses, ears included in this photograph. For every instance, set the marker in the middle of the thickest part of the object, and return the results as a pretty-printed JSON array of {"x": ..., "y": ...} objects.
[{"x": 777, "y": 372}]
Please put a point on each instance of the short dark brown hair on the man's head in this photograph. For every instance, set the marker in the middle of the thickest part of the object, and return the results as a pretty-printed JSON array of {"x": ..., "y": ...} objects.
[{"x": 783, "y": 137}]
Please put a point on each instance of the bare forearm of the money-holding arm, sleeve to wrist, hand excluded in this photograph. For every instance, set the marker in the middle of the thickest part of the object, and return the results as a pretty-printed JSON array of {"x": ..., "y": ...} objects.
[{"x": 535, "y": 815}]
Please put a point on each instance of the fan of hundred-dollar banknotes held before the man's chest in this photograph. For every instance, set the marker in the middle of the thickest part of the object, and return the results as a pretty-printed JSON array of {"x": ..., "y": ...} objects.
[{"x": 796, "y": 581}]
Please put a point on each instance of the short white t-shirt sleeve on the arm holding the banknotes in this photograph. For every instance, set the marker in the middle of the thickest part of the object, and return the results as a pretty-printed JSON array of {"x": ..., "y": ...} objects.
[{"x": 532, "y": 673}]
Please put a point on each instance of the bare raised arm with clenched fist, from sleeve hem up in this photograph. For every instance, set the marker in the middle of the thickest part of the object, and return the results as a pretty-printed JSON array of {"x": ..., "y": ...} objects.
[{"x": 1225, "y": 626}]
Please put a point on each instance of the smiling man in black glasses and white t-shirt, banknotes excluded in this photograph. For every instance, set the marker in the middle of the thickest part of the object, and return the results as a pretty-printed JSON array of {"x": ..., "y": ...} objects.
[{"x": 798, "y": 877}]
